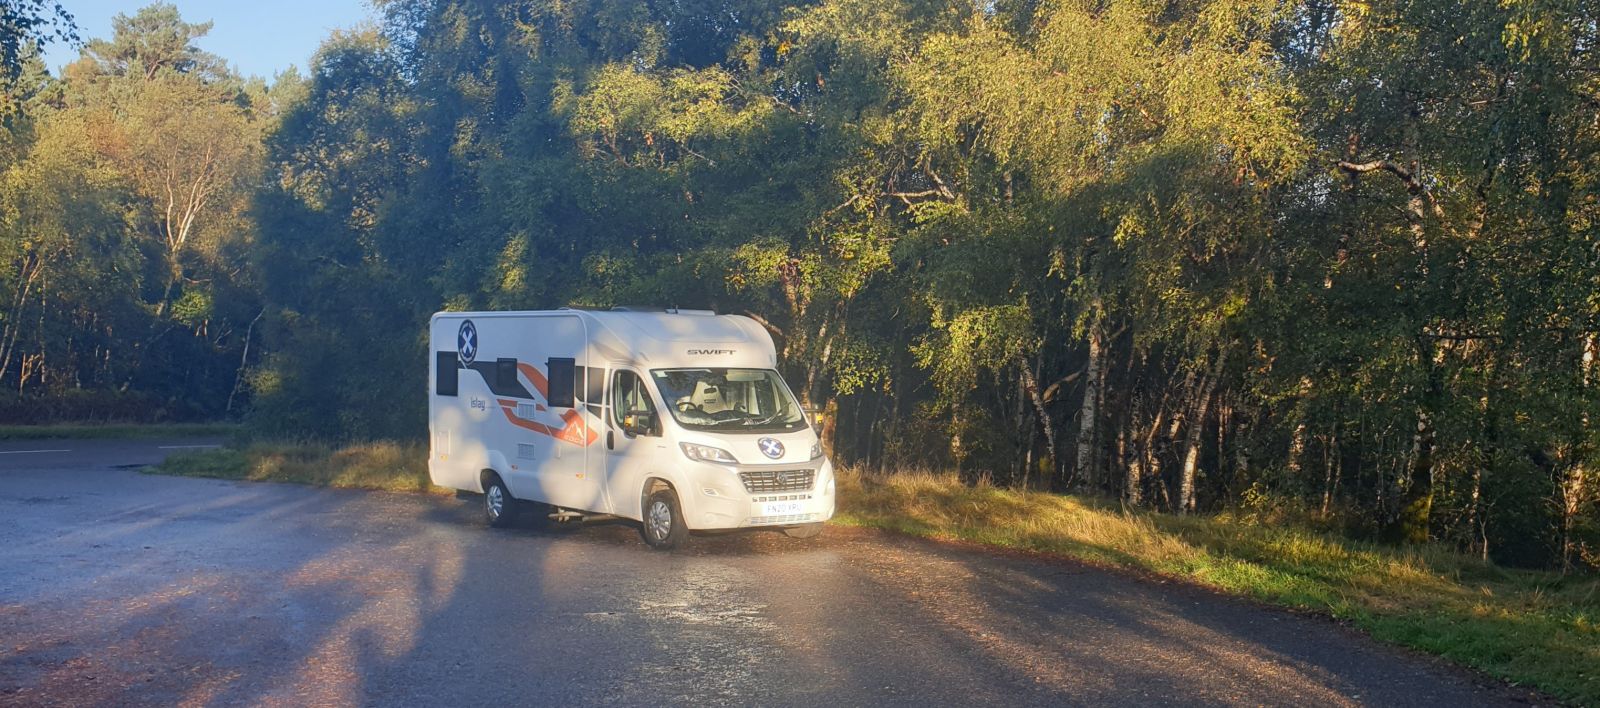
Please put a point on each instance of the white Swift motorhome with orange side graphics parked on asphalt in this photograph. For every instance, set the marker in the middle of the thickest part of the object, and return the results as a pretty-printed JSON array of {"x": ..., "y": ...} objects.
[{"x": 673, "y": 419}]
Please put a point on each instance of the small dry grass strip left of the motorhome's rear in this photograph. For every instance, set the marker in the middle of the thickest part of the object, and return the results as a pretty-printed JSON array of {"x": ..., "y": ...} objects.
[{"x": 388, "y": 467}]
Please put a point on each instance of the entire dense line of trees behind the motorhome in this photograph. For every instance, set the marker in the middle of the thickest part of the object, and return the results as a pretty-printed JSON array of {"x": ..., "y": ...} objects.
[{"x": 1332, "y": 255}]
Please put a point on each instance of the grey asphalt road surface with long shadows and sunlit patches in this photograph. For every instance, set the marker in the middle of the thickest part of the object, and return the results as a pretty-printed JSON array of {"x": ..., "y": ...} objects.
[{"x": 122, "y": 589}]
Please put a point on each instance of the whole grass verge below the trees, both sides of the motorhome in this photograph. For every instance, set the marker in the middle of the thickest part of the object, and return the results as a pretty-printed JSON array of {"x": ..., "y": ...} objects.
[{"x": 1530, "y": 629}]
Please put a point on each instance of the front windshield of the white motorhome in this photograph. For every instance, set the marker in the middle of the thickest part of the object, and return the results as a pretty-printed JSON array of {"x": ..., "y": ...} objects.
[{"x": 729, "y": 400}]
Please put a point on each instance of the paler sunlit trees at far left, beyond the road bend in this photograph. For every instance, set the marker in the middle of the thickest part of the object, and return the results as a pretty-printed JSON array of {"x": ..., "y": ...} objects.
[{"x": 124, "y": 193}]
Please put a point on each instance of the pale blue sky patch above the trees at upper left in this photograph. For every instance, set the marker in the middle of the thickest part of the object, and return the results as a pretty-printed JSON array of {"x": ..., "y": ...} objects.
[{"x": 257, "y": 38}]
